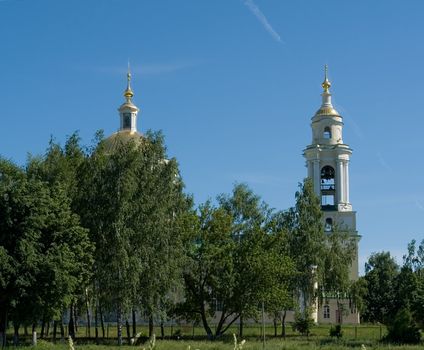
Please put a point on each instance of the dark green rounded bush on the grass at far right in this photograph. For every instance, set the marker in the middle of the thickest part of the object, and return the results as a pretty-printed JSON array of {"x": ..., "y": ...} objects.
[{"x": 403, "y": 329}]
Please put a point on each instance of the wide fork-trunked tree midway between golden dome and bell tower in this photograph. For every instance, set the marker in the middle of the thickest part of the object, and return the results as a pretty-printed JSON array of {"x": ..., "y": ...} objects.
[{"x": 234, "y": 261}]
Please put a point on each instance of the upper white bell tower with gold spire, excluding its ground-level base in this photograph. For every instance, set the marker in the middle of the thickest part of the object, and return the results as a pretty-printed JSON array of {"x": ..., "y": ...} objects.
[{"x": 327, "y": 161}]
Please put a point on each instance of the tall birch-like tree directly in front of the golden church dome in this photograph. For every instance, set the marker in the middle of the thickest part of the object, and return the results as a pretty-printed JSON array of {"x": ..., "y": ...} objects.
[{"x": 131, "y": 200}]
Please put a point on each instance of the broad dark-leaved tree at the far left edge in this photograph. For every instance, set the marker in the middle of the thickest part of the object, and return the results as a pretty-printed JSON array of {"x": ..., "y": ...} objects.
[{"x": 44, "y": 243}]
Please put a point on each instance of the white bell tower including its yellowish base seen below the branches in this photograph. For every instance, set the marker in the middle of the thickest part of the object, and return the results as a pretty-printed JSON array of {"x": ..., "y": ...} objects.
[{"x": 327, "y": 162}]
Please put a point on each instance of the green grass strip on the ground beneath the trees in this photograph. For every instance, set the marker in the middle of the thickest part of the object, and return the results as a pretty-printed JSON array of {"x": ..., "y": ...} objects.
[{"x": 183, "y": 337}]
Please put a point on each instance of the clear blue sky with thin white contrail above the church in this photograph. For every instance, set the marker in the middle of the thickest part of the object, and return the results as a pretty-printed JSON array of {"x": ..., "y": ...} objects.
[{"x": 233, "y": 85}]
